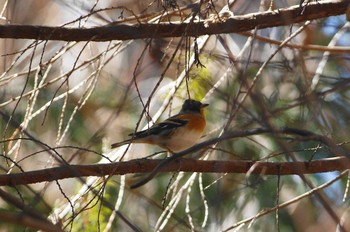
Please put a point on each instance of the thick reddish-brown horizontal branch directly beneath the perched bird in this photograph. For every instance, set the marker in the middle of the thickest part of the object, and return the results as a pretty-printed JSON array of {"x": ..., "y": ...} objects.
[{"x": 184, "y": 165}]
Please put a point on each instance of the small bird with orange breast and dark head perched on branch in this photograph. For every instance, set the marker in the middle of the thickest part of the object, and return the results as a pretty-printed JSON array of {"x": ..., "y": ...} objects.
[{"x": 177, "y": 133}]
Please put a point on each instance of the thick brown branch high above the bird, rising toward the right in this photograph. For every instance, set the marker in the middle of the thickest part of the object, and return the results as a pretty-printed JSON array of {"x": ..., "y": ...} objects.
[{"x": 280, "y": 17}]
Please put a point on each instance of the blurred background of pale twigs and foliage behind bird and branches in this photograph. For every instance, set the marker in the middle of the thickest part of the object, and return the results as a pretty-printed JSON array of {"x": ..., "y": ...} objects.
[{"x": 66, "y": 102}]
